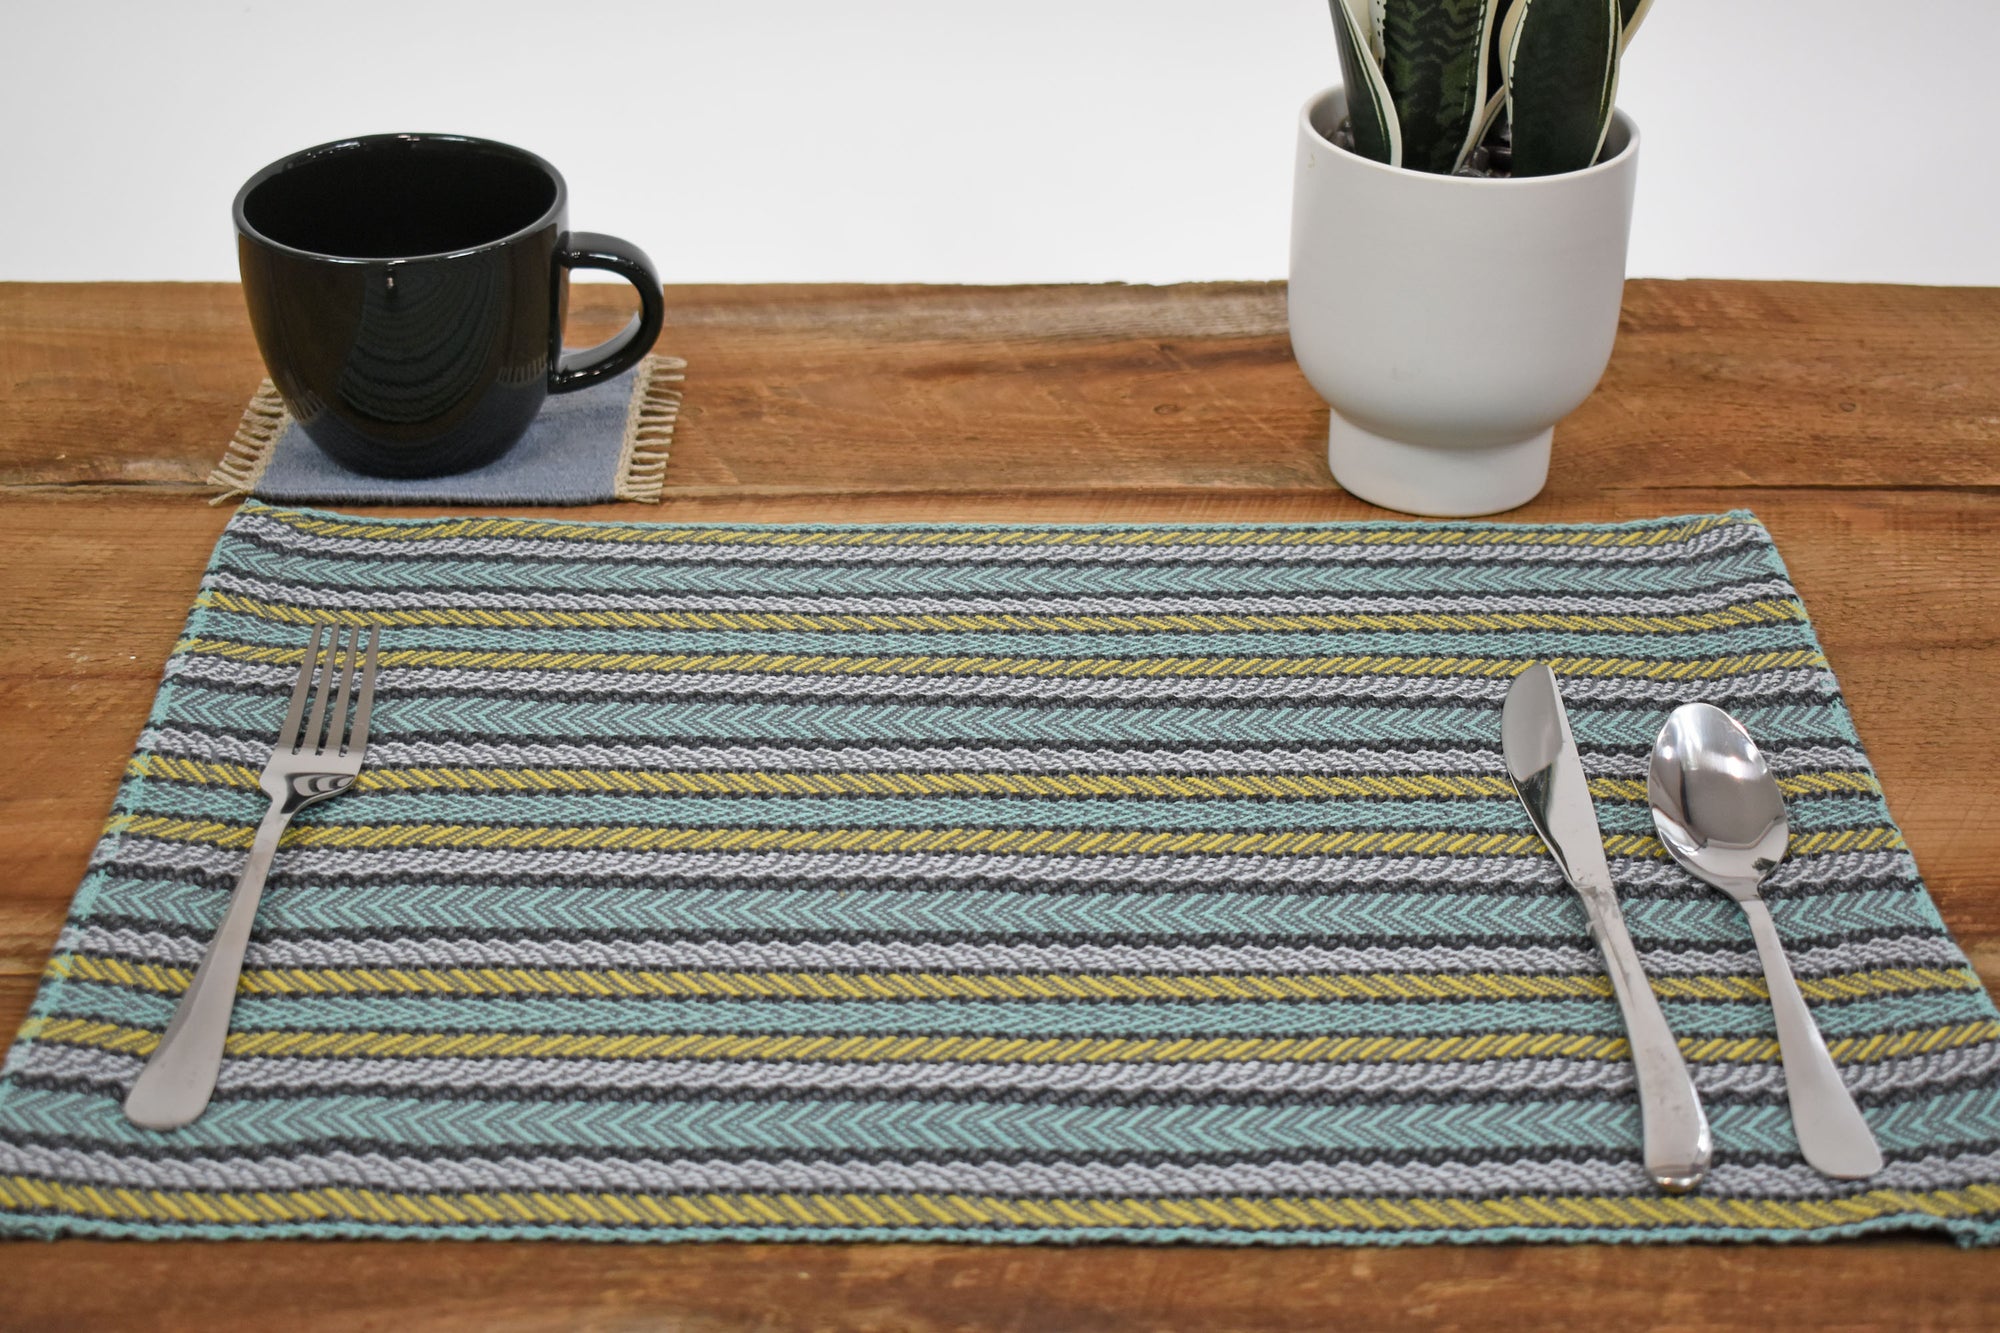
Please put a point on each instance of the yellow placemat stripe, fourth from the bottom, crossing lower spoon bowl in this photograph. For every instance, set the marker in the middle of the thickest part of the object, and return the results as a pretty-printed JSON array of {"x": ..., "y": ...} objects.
[{"x": 943, "y": 842}]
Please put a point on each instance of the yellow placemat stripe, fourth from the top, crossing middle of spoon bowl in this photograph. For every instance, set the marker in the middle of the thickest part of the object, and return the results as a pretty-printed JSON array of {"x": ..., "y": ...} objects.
[{"x": 927, "y": 784}]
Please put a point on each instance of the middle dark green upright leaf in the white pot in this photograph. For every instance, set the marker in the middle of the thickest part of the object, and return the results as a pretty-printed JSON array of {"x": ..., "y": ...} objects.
[{"x": 1435, "y": 67}]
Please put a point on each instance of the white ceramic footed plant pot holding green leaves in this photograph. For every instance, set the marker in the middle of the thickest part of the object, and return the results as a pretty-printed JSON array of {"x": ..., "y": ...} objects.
[{"x": 1451, "y": 321}]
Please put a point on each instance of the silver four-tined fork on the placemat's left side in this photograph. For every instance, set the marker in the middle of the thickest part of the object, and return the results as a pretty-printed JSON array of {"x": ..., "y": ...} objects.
[{"x": 315, "y": 758}]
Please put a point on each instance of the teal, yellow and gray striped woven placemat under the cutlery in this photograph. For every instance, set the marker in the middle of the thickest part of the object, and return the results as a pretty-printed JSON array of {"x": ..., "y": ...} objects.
[{"x": 1003, "y": 884}]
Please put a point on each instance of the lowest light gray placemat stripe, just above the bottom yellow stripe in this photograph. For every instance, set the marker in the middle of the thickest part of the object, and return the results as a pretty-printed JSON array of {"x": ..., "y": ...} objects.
[{"x": 1333, "y": 1176}]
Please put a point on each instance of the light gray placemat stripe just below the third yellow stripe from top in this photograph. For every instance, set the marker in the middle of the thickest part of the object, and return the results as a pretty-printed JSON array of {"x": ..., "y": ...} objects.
[{"x": 997, "y": 688}]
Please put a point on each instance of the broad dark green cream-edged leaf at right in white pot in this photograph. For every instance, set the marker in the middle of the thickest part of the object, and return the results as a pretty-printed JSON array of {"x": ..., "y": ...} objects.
[{"x": 1563, "y": 77}]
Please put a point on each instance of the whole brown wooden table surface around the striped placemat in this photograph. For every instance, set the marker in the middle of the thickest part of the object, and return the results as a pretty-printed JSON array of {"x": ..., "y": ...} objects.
[{"x": 1861, "y": 423}]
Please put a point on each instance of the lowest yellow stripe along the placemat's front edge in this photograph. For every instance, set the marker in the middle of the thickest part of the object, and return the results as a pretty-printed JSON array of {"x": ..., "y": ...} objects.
[{"x": 25, "y": 1194}]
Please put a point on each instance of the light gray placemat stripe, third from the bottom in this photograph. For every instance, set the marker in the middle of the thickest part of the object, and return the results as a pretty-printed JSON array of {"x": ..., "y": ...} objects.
[{"x": 991, "y": 958}]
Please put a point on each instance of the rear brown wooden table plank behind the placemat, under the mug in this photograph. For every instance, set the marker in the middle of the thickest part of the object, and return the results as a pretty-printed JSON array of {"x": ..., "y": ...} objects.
[{"x": 859, "y": 391}]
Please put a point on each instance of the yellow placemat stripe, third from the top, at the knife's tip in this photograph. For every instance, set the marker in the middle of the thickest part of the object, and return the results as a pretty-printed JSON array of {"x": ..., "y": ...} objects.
[{"x": 1043, "y": 668}]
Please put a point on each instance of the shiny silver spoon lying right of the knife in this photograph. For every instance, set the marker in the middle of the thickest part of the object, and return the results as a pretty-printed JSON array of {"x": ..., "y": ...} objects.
[{"x": 1723, "y": 820}]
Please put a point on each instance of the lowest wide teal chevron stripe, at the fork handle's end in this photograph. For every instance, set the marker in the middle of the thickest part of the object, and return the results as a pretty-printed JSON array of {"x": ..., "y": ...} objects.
[{"x": 1083, "y": 1130}]
